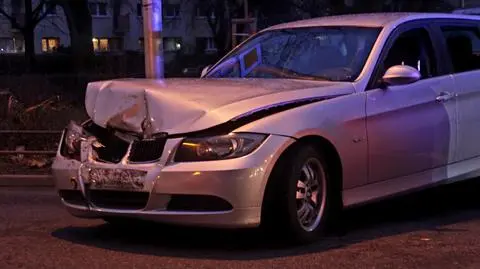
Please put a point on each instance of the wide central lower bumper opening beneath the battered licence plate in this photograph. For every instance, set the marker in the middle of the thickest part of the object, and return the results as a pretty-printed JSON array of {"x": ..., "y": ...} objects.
[{"x": 118, "y": 199}]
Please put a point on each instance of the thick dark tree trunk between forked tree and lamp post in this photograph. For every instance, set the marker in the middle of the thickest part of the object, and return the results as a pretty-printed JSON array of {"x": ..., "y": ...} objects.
[{"x": 80, "y": 26}]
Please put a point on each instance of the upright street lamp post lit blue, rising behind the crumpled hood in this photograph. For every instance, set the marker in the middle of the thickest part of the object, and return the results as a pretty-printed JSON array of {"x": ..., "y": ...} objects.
[{"x": 152, "y": 33}]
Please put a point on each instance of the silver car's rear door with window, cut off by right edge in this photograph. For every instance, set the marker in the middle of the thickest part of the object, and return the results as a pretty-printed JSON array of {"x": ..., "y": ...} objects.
[{"x": 462, "y": 39}]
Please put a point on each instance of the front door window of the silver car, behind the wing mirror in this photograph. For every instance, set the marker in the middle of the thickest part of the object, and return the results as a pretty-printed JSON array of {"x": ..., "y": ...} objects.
[{"x": 413, "y": 48}]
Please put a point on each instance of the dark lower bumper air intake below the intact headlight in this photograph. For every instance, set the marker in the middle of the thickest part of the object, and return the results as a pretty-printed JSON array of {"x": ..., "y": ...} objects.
[{"x": 201, "y": 203}]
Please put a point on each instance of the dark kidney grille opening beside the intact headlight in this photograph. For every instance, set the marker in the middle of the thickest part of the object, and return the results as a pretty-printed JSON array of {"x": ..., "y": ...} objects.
[{"x": 147, "y": 150}]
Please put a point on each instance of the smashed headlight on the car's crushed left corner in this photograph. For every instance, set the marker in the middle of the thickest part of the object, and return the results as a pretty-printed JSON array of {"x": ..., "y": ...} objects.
[{"x": 72, "y": 139}]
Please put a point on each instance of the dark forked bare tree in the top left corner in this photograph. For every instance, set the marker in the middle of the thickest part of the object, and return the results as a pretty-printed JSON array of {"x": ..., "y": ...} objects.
[{"x": 33, "y": 15}]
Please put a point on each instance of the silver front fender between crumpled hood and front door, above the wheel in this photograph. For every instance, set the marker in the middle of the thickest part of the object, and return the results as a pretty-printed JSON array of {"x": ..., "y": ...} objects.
[{"x": 340, "y": 120}]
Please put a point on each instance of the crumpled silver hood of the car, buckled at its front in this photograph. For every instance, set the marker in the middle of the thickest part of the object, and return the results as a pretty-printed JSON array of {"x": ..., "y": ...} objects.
[{"x": 186, "y": 105}]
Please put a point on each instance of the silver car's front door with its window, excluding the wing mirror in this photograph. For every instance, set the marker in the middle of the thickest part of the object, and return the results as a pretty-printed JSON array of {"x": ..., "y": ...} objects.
[{"x": 411, "y": 127}]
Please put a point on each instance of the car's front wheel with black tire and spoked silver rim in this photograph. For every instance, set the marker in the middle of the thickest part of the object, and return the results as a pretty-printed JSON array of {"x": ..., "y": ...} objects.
[{"x": 300, "y": 197}]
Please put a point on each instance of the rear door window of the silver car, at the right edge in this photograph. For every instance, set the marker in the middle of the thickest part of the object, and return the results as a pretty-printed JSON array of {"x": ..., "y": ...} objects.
[{"x": 463, "y": 43}]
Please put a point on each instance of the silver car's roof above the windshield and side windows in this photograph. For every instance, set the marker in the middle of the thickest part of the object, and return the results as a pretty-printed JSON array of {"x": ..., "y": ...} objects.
[{"x": 370, "y": 19}]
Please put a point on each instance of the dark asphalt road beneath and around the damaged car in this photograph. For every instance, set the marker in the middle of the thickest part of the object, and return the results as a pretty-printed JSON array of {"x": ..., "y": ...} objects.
[{"x": 434, "y": 229}]
